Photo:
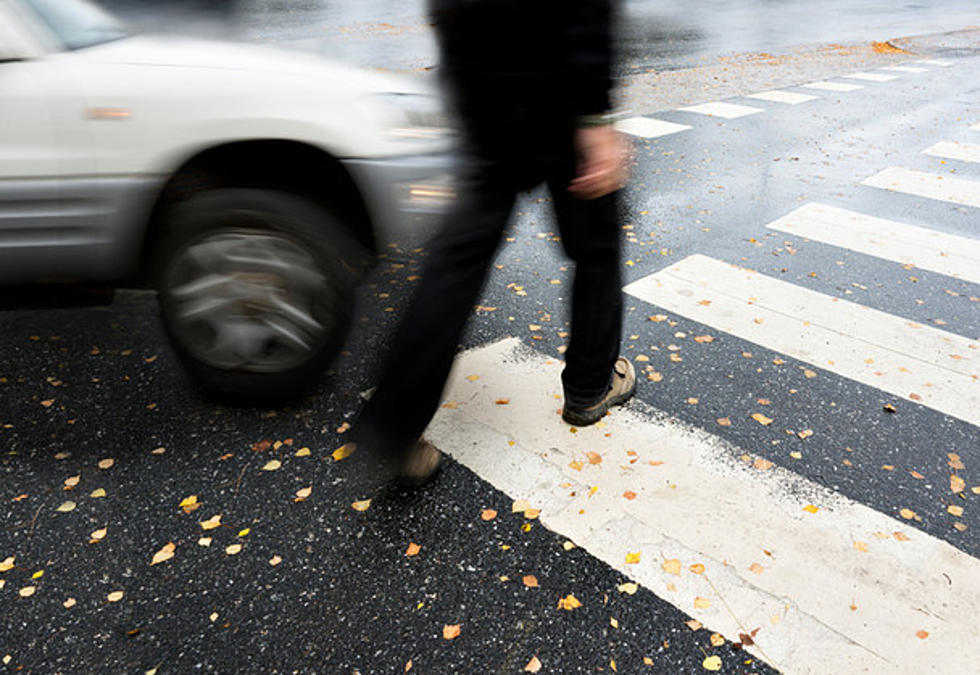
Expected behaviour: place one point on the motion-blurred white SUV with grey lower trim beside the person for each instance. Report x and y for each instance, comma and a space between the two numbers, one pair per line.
247, 185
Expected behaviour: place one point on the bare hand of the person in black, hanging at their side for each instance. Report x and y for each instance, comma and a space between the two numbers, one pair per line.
603, 162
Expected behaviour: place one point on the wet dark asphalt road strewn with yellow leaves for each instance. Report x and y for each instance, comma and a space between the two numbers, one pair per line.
317, 586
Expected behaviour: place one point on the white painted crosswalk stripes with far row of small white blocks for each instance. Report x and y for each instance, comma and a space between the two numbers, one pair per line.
836, 586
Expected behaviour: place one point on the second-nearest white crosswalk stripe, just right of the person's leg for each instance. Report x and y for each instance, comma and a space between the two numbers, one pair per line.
940, 370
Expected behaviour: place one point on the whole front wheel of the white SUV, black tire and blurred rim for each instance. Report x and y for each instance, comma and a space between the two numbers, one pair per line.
256, 290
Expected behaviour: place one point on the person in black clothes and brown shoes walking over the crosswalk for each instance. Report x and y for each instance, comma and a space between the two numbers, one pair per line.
530, 81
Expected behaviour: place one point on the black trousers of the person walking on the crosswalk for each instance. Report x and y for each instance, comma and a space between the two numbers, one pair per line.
418, 364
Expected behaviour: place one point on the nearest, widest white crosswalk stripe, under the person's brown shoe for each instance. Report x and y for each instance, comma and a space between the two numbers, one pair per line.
821, 604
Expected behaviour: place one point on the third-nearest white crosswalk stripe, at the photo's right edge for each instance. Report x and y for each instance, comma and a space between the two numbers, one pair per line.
927, 249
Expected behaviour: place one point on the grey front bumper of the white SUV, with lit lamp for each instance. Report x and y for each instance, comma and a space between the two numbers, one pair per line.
406, 197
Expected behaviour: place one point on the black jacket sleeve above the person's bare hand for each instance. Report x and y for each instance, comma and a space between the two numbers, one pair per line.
588, 39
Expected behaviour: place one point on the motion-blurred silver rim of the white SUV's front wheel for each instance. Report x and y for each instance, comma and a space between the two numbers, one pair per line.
248, 300
